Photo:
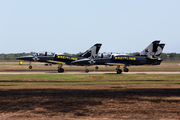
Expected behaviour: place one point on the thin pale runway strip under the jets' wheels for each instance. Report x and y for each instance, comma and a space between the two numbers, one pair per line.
66, 73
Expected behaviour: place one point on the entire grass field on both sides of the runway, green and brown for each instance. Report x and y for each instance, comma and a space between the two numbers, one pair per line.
86, 96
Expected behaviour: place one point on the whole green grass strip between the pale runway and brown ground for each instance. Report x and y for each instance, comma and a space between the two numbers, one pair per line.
88, 79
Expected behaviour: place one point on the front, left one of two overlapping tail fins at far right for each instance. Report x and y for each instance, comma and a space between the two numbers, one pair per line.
151, 49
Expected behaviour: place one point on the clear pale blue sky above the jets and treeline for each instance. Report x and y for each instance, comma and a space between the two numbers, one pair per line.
73, 26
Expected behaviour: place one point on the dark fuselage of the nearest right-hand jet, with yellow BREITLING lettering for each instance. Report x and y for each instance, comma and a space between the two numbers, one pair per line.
118, 60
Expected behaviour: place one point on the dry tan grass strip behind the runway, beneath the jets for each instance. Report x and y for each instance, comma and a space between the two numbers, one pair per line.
165, 66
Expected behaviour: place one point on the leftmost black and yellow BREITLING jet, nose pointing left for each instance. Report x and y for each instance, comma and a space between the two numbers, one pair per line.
57, 58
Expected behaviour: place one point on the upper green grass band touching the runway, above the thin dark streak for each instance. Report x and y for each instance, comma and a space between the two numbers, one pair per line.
79, 77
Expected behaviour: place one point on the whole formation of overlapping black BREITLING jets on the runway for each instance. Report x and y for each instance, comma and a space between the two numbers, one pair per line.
149, 56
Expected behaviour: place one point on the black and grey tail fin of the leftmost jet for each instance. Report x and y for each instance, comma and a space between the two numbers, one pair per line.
92, 51
